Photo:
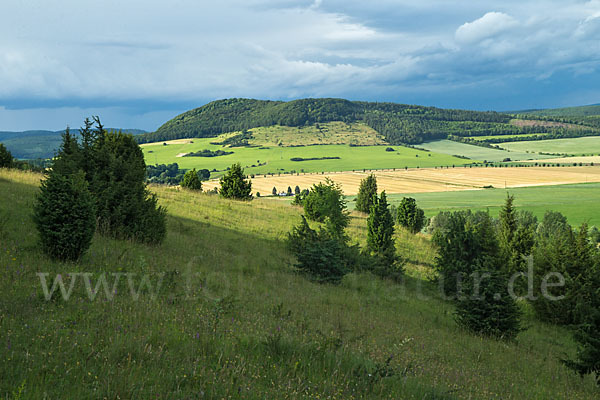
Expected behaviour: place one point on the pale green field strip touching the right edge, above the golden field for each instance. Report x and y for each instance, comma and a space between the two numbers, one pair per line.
576, 146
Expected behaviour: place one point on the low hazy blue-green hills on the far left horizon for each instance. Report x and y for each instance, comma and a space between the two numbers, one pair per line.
40, 144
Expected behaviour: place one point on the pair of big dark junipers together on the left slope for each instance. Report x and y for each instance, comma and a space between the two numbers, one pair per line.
96, 183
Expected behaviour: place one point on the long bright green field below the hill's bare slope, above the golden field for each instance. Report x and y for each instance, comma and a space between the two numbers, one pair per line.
278, 158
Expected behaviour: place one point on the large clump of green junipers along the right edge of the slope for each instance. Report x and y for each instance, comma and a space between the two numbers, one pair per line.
486, 265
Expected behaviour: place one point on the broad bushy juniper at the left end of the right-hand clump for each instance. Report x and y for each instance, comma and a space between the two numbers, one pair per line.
465, 241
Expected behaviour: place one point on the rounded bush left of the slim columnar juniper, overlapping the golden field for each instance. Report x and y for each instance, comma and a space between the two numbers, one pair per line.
326, 203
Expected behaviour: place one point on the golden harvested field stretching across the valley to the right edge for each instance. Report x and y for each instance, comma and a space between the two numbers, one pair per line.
432, 180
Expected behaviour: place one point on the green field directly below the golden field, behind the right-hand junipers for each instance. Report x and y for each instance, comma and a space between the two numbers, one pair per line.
578, 202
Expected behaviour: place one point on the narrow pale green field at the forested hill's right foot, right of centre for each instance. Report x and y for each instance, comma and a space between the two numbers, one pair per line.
477, 152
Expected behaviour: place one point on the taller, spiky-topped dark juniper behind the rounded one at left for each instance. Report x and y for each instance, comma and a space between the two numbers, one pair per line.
115, 170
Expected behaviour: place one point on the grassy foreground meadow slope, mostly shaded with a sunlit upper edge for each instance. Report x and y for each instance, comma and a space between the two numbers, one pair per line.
233, 320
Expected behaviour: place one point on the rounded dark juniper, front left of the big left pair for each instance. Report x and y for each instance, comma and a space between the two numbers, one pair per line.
64, 215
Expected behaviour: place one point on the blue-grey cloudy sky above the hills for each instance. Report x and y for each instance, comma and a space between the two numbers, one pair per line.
137, 64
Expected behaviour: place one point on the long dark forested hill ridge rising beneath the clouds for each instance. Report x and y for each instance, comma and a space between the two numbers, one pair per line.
397, 123
